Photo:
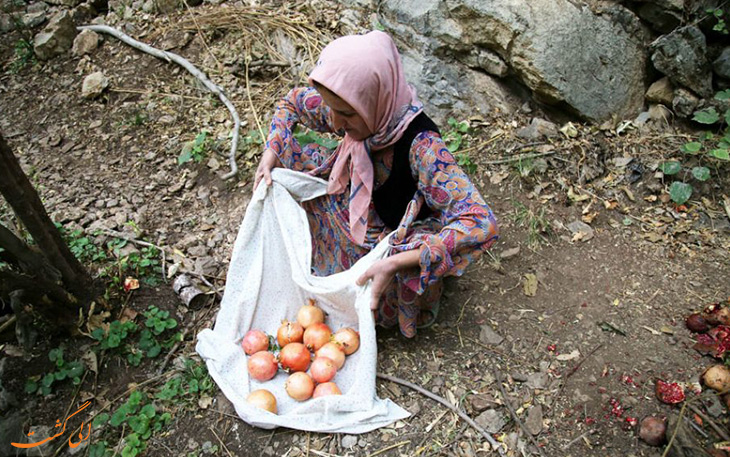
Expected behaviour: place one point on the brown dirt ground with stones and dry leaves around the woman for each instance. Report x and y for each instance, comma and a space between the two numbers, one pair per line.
576, 326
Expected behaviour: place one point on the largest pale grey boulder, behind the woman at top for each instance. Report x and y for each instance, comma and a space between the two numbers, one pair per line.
564, 53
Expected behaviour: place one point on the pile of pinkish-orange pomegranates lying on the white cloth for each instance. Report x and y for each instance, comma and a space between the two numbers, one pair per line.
297, 341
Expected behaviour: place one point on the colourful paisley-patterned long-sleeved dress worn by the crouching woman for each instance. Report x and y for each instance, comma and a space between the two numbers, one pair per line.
460, 226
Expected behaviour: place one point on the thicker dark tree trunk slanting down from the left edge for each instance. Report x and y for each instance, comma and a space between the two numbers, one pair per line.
22, 197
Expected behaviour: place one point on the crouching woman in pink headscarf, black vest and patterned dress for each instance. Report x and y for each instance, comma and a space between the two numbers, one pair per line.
391, 171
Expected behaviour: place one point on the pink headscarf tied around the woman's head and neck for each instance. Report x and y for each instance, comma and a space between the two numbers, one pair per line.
365, 71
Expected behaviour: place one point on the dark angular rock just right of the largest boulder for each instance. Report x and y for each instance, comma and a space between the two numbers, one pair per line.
682, 55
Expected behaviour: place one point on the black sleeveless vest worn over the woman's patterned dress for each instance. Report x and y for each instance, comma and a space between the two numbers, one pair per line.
393, 196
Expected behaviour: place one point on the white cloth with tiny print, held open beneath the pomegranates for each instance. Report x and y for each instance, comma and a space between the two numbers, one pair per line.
269, 279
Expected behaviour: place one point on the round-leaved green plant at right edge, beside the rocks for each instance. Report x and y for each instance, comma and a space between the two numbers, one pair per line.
714, 148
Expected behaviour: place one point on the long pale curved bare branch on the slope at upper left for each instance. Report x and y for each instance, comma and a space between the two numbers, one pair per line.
172, 57
